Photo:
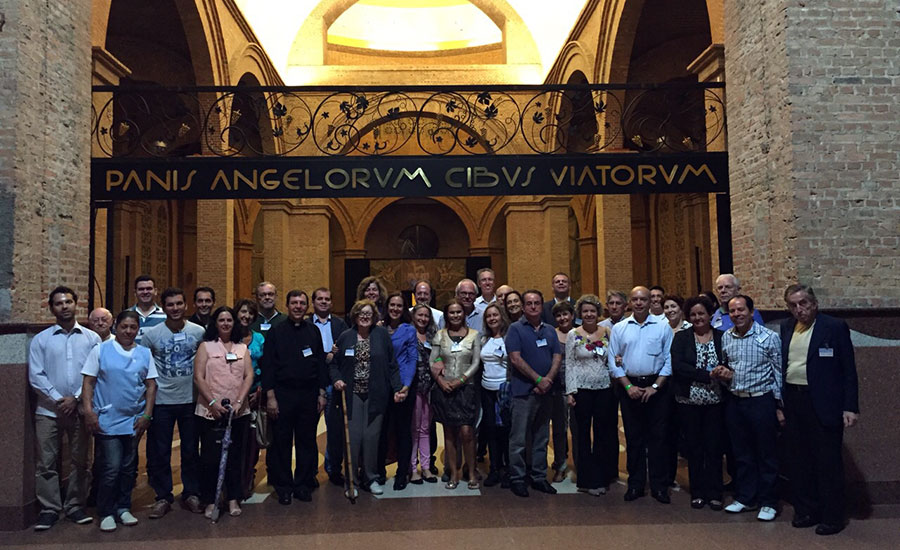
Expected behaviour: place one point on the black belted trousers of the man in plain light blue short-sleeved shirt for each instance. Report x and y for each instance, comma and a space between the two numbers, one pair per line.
645, 438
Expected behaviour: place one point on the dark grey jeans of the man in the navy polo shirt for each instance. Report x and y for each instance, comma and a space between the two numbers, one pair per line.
530, 416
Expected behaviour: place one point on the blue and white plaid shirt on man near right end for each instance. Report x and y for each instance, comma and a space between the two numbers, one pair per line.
755, 358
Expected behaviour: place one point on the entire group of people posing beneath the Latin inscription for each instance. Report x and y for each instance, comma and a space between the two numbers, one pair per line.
495, 367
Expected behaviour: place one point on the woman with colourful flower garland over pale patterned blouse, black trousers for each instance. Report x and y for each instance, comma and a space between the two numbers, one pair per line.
590, 394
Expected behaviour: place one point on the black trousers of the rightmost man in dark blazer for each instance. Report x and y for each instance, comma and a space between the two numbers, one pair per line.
814, 459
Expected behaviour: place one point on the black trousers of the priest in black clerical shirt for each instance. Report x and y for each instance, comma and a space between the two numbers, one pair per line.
295, 429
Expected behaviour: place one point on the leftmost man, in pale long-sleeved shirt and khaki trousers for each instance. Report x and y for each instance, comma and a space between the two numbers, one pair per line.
55, 358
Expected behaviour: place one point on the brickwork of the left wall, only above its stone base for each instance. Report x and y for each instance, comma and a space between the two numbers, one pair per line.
45, 115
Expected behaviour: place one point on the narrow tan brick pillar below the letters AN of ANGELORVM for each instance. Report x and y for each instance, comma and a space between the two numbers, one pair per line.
215, 248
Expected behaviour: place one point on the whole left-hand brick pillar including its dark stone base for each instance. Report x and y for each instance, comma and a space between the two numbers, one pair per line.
45, 119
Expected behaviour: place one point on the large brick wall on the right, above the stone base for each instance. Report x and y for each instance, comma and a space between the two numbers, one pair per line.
813, 112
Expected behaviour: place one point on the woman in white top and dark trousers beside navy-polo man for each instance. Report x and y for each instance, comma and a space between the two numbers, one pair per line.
496, 363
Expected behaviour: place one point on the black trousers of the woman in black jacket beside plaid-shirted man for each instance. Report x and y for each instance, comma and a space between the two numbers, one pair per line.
702, 427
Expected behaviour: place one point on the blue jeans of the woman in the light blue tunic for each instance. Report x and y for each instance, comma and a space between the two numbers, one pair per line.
117, 465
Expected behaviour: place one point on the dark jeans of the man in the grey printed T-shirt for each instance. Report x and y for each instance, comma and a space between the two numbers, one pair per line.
159, 450
